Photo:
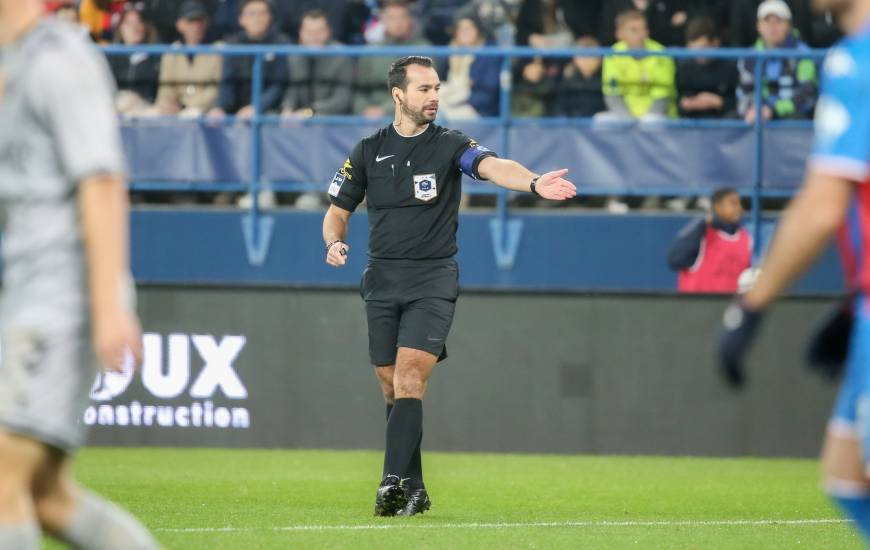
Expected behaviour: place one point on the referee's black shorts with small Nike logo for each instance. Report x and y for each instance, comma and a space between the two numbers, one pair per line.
409, 304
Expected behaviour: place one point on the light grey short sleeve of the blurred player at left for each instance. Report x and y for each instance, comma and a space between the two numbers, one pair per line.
72, 92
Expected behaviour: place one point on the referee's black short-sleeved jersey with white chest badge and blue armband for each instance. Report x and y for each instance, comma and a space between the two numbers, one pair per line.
412, 186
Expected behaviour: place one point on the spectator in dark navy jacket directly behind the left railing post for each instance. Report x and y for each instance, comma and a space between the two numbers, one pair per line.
235, 91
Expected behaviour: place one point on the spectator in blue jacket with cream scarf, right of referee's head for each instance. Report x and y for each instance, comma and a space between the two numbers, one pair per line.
471, 84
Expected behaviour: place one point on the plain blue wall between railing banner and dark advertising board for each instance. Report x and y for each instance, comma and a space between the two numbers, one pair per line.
552, 252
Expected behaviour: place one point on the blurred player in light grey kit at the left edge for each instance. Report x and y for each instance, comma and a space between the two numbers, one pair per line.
63, 208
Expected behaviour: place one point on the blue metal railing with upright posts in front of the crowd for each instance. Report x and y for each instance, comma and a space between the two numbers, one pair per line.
503, 121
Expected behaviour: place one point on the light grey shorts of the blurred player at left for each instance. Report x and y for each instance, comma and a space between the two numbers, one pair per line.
45, 382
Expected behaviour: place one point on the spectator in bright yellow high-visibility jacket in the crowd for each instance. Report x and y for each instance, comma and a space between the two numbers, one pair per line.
638, 87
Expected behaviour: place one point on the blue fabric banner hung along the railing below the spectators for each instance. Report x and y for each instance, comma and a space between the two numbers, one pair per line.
687, 159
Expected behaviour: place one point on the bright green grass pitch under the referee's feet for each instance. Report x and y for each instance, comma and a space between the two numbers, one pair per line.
245, 499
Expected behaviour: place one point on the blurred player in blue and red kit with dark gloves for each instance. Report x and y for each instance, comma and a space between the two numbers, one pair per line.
835, 199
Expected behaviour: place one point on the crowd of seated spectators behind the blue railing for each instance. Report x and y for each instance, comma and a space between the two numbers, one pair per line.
613, 87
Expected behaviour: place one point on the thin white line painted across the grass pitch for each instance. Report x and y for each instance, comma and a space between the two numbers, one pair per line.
603, 523
